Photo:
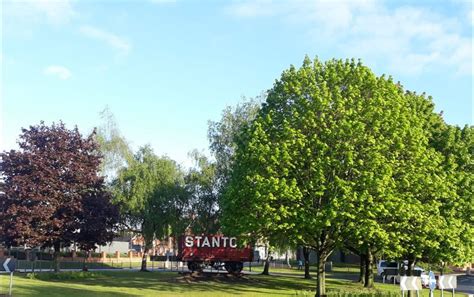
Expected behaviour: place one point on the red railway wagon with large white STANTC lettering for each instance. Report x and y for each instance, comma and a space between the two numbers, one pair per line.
216, 251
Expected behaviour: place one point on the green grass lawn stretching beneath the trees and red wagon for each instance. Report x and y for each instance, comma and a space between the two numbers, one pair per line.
131, 283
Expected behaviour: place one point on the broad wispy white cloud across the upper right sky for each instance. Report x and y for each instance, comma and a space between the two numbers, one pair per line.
406, 39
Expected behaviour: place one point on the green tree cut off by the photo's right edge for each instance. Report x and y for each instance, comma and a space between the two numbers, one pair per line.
454, 240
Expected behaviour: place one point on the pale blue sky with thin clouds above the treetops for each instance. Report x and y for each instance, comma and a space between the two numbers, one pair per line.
167, 67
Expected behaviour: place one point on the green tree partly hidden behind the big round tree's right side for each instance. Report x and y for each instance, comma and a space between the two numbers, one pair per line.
381, 224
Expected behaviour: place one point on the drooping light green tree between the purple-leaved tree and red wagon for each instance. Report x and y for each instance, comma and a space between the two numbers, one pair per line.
150, 193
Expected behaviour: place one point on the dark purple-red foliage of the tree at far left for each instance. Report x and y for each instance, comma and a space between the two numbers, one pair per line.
52, 193
